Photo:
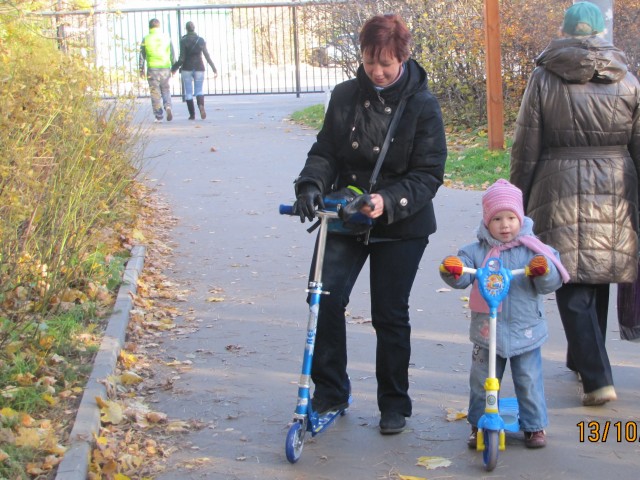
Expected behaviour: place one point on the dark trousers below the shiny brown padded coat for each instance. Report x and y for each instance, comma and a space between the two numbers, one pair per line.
583, 309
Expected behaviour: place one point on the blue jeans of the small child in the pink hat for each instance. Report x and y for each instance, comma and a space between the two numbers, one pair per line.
526, 370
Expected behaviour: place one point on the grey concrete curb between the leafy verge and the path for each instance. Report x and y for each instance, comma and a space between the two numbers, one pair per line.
75, 464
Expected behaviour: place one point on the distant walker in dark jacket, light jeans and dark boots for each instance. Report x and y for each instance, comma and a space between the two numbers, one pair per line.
192, 48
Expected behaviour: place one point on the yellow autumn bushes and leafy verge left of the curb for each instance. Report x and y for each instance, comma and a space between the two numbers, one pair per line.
68, 165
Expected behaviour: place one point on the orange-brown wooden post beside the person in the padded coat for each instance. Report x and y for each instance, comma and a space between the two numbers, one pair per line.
495, 103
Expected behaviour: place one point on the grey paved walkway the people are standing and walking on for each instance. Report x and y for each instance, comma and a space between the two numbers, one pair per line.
224, 178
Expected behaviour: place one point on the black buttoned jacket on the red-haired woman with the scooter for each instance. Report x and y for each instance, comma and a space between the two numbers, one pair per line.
353, 133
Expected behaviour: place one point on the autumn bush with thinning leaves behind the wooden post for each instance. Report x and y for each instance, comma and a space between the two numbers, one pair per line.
449, 41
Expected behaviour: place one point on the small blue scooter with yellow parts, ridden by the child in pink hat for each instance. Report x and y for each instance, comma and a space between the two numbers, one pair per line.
494, 282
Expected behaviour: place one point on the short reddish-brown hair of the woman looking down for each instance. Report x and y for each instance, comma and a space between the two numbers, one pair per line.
386, 32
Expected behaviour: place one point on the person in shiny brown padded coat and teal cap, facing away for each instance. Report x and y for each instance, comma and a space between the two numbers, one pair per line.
576, 157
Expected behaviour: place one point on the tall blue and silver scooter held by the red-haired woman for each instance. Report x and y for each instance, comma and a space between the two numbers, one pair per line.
305, 419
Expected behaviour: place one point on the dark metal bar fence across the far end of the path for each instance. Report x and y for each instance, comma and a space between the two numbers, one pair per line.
257, 49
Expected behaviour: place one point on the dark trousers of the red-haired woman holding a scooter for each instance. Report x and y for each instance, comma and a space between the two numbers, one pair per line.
393, 266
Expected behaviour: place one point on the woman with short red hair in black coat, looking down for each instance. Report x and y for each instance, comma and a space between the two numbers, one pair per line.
345, 153
